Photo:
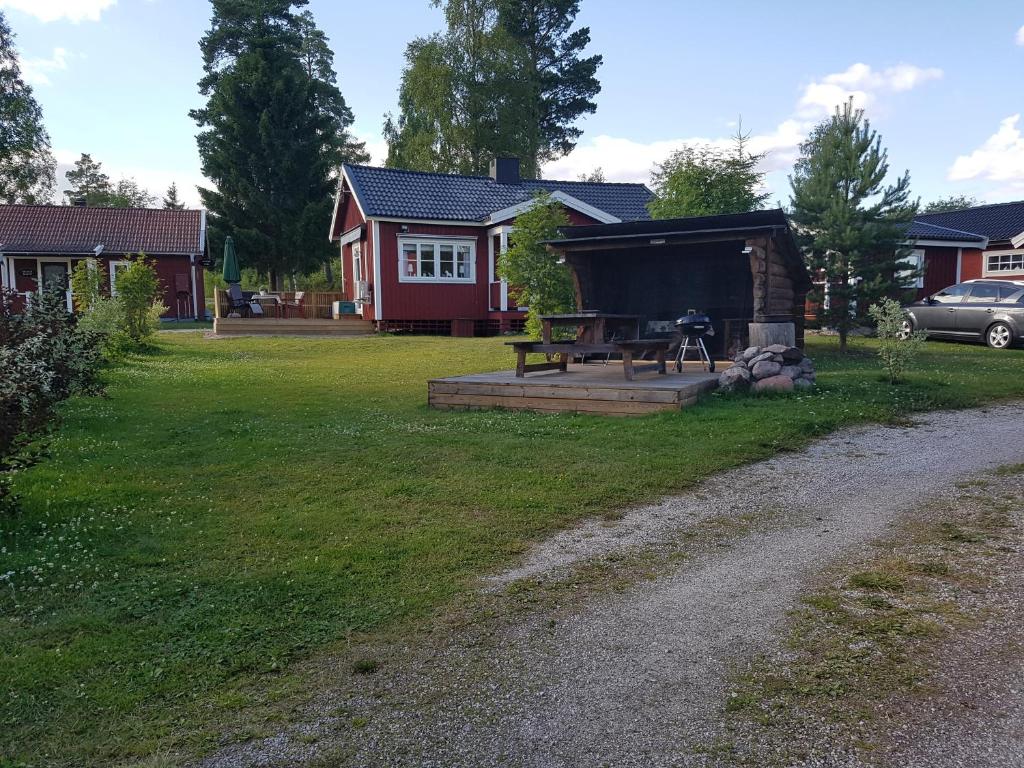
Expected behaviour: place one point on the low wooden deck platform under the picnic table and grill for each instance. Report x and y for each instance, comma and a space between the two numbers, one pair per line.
593, 389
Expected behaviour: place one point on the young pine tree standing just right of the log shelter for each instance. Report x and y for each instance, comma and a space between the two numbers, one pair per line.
849, 224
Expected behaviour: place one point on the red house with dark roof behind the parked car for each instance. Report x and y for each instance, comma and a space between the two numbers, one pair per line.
982, 242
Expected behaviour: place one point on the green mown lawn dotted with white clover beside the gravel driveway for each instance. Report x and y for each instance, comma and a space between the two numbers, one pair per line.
237, 505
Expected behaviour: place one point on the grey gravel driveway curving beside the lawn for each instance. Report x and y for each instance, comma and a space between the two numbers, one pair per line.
637, 676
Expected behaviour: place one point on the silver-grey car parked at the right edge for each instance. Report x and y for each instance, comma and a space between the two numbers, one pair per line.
990, 311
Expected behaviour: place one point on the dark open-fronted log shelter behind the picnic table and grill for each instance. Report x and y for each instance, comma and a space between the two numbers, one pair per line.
745, 271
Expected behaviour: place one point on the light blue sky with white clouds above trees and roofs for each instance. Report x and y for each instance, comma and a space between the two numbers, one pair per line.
941, 81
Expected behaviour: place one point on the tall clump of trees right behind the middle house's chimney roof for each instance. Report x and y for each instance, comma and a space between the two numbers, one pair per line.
506, 77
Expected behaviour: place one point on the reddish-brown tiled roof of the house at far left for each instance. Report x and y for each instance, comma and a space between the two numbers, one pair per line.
73, 230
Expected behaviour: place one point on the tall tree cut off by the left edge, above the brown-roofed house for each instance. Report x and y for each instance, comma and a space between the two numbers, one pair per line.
28, 172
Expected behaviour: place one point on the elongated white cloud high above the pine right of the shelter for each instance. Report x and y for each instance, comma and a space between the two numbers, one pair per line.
863, 84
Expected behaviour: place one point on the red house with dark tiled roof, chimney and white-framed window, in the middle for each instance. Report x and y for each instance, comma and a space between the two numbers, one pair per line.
419, 250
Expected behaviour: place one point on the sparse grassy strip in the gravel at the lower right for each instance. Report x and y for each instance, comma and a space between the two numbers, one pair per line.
862, 646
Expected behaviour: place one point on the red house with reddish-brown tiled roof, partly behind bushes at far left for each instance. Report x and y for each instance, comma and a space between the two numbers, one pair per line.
40, 245
